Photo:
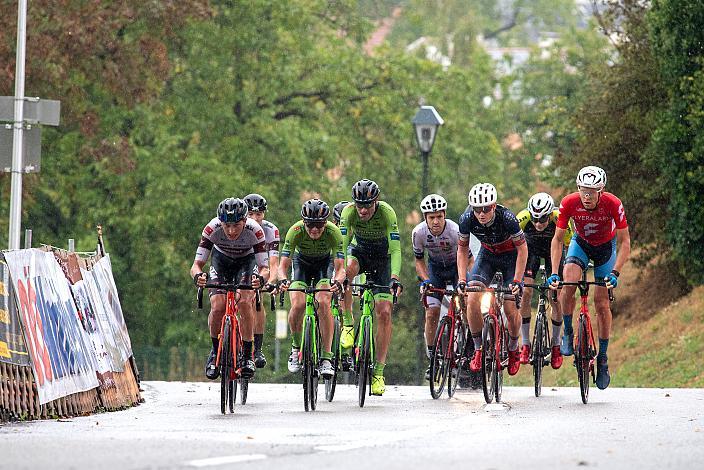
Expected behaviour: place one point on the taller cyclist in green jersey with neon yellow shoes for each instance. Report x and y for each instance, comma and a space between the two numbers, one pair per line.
376, 251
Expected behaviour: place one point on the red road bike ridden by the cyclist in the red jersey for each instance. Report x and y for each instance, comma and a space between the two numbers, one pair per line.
584, 344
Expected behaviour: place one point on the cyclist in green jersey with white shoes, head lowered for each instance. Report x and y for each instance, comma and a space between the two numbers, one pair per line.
314, 247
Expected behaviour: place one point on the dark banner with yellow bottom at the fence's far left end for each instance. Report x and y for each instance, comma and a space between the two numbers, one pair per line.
12, 348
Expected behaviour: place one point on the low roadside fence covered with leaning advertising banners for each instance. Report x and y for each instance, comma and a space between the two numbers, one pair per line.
64, 346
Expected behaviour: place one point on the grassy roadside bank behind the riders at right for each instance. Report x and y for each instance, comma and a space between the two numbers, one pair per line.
664, 350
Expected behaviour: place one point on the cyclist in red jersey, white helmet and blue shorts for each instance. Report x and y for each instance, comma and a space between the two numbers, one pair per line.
601, 232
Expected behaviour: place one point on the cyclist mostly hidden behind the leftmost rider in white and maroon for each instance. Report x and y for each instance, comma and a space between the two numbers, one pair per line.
256, 204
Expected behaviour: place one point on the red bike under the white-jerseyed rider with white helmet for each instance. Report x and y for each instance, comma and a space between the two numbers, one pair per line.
450, 339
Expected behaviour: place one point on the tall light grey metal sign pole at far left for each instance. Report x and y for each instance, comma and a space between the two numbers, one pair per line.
16, 190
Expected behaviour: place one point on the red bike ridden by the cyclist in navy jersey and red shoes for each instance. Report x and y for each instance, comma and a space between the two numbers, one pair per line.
494, 336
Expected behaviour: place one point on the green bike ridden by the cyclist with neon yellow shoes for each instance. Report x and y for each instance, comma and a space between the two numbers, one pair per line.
364, 338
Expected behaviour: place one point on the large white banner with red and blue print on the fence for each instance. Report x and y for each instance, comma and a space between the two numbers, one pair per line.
61, 352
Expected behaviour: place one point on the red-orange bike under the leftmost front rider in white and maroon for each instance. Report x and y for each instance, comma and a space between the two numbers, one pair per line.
230, 357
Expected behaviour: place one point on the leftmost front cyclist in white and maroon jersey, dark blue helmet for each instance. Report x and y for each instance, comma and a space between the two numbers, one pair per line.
238, 249
